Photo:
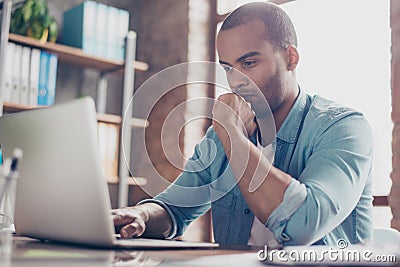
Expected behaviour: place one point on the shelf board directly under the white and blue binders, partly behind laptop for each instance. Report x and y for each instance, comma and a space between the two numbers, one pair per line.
107, 118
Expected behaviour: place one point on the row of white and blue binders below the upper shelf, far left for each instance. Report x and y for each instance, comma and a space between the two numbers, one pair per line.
30, 76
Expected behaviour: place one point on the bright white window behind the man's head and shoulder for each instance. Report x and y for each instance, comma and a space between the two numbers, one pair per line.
345, 56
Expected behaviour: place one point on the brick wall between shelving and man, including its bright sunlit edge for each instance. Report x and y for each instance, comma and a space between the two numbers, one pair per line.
163, 28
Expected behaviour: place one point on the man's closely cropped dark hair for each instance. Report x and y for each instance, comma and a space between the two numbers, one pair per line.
279, 29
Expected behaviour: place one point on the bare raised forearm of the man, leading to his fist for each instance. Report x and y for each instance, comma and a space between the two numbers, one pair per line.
247, 163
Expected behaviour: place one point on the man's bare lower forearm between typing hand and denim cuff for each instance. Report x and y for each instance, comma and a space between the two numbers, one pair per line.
157, 220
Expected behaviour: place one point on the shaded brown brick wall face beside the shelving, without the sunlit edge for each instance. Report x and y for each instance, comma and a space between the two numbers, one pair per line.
162, 28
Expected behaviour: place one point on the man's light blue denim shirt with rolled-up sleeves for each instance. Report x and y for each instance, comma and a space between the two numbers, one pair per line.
325, 147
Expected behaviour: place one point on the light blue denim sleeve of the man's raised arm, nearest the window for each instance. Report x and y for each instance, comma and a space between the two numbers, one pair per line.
331, 184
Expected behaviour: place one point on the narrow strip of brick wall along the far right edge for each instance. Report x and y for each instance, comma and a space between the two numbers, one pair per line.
394, 197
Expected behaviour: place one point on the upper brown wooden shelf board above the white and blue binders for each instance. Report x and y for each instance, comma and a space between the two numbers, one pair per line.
76, 56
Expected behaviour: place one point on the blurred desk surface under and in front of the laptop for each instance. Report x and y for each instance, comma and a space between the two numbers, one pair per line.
30, 252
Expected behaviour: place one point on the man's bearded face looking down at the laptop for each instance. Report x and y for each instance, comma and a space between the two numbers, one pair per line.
244, 50
